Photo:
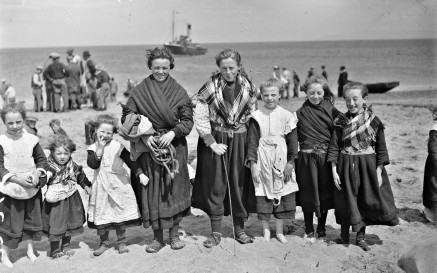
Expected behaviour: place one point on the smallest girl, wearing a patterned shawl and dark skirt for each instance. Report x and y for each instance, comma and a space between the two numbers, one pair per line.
63, 212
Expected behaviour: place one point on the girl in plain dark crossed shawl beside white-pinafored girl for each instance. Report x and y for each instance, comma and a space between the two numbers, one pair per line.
313, 172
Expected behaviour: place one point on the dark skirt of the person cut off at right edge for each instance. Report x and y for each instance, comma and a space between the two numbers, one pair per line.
430, 184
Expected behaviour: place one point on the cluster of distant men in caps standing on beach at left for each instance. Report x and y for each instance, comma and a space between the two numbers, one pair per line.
73, 83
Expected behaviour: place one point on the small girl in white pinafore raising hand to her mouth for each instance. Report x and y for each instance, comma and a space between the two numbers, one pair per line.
112, 204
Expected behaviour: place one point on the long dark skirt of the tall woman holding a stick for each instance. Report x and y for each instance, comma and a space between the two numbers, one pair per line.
210, 191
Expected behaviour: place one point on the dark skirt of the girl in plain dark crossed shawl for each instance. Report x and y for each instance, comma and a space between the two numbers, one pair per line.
316, 186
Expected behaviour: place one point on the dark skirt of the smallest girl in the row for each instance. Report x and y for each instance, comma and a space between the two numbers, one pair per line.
63, 218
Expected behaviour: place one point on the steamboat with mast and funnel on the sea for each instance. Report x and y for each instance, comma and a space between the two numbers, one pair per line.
184, 46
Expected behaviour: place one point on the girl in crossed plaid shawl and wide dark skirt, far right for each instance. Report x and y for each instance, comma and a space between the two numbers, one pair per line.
358, 154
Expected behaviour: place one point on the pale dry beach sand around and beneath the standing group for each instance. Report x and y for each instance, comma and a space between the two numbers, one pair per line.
406, 132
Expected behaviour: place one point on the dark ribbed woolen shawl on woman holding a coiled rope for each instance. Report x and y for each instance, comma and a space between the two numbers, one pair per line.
158, 101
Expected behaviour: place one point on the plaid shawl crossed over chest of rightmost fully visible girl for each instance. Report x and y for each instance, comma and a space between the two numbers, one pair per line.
358, 132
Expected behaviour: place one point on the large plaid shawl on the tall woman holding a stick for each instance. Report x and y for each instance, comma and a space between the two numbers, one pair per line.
233, 115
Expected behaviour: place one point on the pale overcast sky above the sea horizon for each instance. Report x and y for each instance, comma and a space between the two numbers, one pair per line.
39, 23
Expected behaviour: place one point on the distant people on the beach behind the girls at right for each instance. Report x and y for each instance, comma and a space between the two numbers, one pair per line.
286, 78
